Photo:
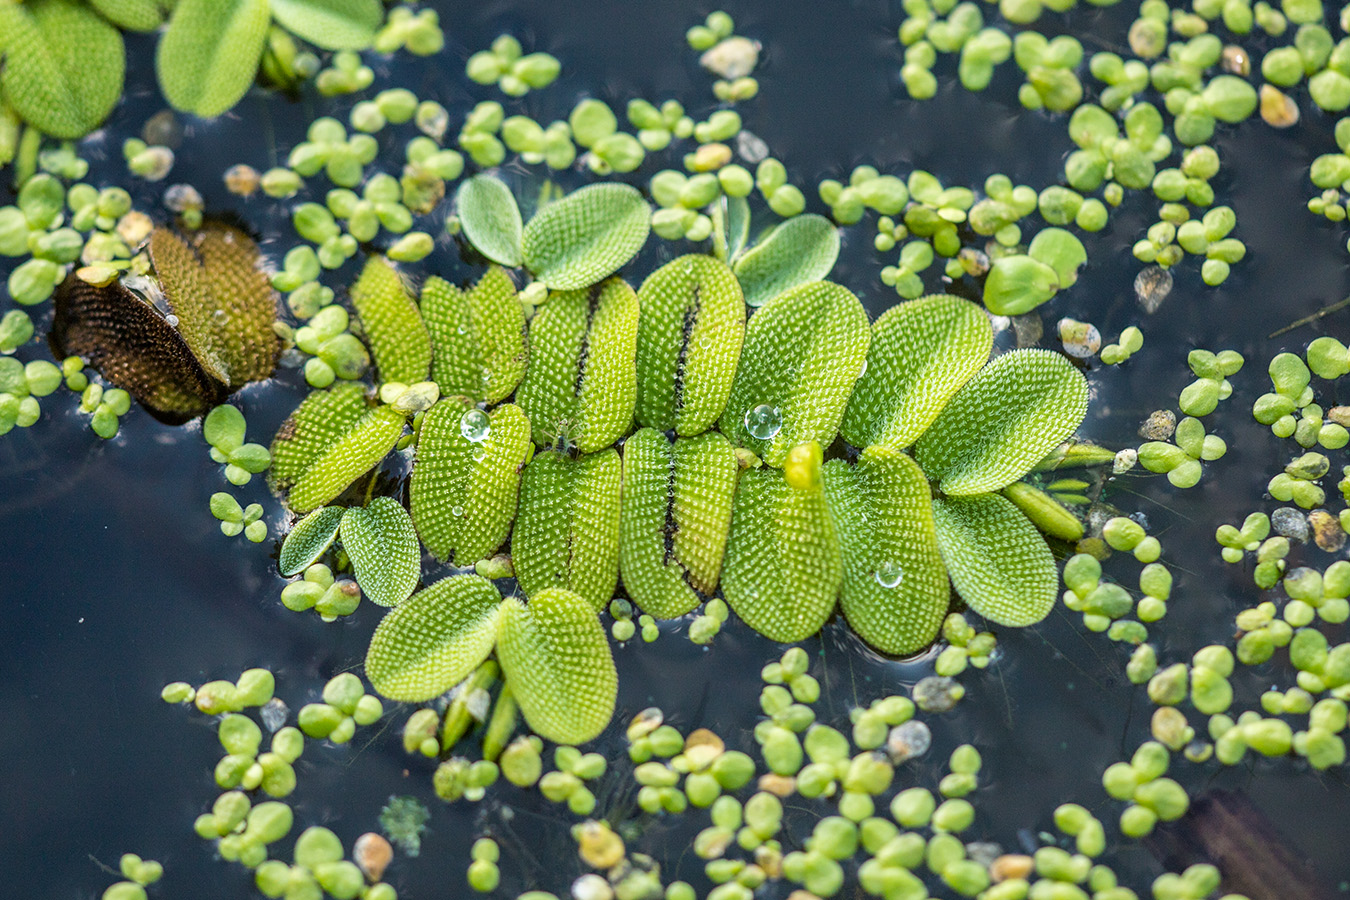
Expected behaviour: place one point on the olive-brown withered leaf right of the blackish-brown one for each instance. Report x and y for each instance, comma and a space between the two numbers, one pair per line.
225, 303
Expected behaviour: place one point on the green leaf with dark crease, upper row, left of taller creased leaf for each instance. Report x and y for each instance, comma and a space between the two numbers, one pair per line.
581, 384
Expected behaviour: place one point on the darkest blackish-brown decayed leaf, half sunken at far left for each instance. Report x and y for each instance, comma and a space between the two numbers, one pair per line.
134, 347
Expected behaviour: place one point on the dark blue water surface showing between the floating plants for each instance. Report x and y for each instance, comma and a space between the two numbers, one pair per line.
115, 578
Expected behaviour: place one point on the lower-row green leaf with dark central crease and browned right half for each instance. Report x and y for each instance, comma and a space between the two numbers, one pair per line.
677, 515
